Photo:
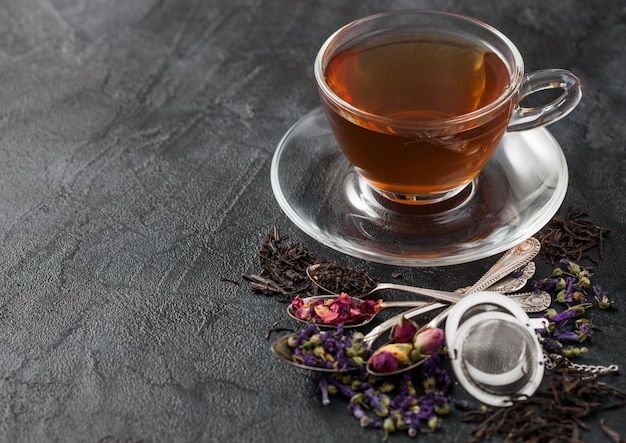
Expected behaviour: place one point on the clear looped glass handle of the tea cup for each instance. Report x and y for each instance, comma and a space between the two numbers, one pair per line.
527, 118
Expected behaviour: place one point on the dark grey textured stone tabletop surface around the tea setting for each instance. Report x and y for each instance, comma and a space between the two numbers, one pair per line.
135, 147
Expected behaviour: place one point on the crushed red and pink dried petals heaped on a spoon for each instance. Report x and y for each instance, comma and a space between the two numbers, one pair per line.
334, 311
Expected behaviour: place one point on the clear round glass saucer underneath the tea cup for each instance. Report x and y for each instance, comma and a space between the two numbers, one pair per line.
516, 194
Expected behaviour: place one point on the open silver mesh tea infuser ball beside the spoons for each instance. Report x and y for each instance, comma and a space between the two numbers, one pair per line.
494, 348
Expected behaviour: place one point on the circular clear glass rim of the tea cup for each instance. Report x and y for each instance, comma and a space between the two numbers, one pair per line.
516, 72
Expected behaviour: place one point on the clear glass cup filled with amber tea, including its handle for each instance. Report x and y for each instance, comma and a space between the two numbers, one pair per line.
418, 100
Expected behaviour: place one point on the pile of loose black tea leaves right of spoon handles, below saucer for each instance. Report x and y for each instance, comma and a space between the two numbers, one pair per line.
572, 237
